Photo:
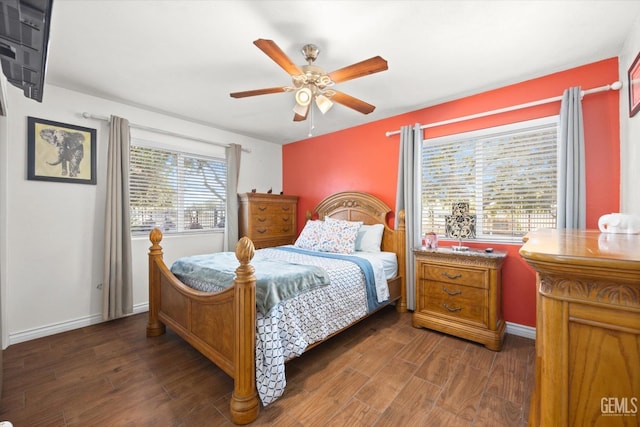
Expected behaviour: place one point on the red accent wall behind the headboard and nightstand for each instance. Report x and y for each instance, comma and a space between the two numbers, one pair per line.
362, 158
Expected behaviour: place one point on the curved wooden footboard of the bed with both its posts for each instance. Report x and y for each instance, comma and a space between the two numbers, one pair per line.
220, 325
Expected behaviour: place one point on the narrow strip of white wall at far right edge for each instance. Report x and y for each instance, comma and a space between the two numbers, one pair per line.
629, 130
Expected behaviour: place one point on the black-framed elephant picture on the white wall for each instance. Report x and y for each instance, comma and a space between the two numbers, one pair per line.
60, 152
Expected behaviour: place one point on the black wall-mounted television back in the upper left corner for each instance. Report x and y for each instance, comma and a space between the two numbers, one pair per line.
24, 39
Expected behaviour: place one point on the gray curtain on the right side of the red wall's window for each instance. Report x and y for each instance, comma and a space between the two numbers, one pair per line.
571, 167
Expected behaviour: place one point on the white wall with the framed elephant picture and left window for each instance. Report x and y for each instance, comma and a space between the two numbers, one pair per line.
53, 260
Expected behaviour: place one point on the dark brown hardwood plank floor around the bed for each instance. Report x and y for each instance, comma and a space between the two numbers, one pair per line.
381, 372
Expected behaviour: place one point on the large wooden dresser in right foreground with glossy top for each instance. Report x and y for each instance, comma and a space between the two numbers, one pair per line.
587, 328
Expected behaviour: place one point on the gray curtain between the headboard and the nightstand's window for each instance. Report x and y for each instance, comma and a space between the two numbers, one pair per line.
407, 198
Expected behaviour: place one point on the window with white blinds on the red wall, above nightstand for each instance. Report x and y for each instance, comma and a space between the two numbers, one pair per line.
507, 176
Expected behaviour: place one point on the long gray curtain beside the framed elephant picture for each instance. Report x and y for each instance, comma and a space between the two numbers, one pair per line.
117, 289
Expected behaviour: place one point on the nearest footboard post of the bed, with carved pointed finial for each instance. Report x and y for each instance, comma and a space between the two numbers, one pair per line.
244, 405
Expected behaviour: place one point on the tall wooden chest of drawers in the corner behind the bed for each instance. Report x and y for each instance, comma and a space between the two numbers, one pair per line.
268, 219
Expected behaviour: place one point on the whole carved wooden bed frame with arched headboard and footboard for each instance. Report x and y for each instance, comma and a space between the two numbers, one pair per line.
222, 325
